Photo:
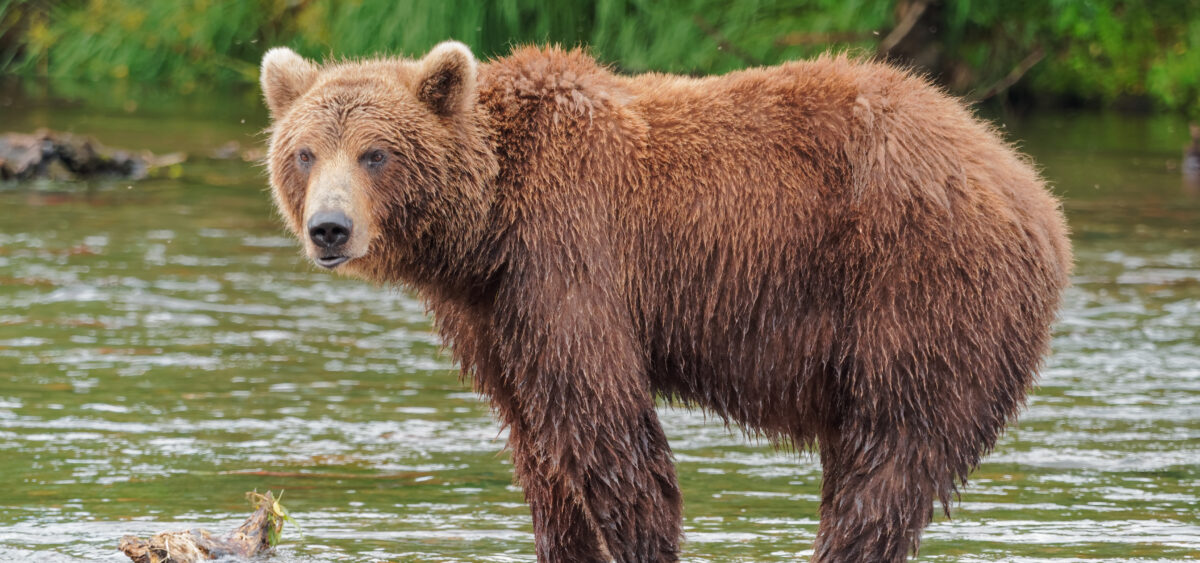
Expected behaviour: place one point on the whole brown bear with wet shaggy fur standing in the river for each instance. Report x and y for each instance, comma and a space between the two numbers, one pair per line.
831, 254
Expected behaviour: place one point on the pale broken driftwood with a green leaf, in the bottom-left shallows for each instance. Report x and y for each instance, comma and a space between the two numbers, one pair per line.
255, 537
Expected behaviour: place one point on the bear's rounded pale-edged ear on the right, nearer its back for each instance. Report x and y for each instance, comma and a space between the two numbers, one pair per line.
447, 79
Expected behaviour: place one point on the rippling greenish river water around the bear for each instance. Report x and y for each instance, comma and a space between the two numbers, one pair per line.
164, 349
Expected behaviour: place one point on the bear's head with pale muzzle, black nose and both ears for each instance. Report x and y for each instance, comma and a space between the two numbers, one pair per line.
382, 167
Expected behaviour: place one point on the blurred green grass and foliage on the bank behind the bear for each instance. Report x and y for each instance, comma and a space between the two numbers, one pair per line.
1054, 53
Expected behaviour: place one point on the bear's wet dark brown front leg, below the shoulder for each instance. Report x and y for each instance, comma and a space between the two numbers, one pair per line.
586, 441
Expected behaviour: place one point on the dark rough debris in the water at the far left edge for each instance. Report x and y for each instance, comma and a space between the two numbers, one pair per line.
68, 157
